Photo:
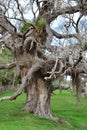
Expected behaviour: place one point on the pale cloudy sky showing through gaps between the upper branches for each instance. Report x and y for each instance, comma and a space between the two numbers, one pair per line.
57, 24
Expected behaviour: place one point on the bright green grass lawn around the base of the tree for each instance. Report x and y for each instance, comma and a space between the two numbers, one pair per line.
63, 105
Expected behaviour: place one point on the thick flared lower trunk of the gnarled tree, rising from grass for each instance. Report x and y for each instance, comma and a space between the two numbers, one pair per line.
38, 98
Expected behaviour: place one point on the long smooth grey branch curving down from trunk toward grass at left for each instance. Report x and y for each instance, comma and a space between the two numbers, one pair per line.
32, 70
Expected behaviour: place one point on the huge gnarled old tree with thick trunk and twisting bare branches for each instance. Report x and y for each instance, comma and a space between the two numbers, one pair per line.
36, 68
